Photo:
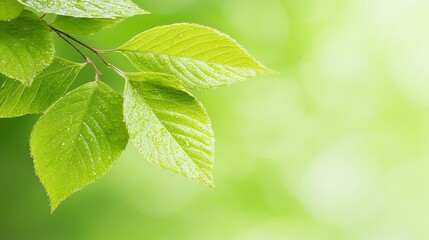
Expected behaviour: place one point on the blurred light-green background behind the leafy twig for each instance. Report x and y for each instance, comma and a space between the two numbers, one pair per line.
336, 147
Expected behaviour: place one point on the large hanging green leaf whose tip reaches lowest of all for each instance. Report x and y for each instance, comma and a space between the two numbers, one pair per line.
78, 139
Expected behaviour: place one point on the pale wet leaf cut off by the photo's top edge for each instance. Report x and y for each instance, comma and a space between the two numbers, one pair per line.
87, 8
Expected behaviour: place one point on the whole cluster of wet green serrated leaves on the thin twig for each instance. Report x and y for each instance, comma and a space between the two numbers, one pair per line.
82, 133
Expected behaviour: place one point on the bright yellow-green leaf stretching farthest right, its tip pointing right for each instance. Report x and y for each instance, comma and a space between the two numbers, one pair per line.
199, 56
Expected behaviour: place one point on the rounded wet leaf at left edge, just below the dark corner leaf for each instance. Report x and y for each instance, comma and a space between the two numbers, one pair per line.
26, 47
